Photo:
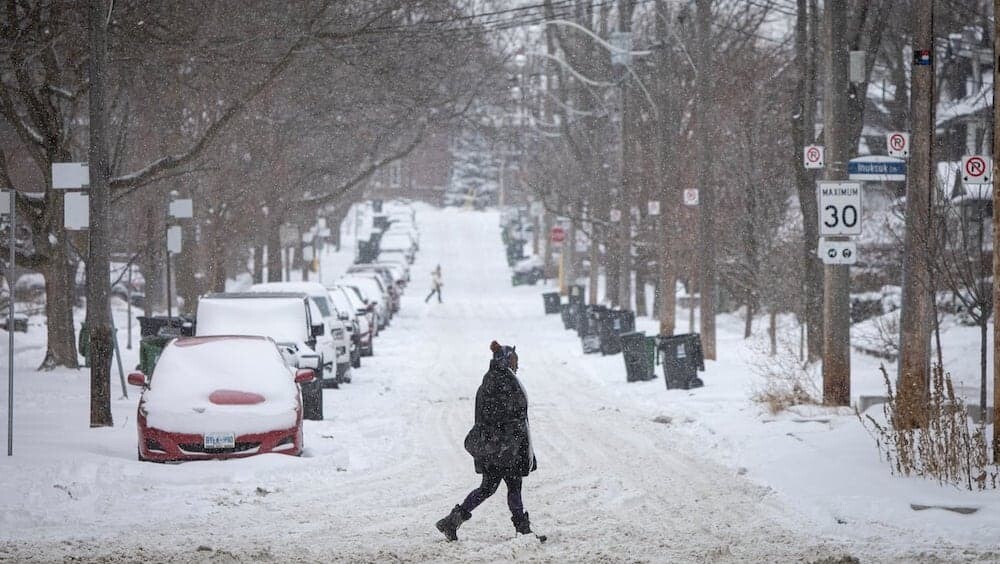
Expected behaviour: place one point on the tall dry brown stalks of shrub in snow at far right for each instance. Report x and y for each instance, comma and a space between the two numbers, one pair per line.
947, 447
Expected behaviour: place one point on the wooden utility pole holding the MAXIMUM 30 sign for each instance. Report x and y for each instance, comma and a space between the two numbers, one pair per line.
836, 278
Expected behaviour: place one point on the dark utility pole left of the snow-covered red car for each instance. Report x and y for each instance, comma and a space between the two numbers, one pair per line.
98, 263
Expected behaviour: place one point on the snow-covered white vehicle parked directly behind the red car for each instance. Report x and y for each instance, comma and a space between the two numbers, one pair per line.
286, 318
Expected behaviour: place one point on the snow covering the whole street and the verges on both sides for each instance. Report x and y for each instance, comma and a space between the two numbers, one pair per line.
627, 471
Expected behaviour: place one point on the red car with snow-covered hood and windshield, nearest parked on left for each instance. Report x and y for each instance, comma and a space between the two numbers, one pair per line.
219, 397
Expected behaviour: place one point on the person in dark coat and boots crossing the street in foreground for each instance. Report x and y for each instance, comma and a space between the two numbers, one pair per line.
499, 442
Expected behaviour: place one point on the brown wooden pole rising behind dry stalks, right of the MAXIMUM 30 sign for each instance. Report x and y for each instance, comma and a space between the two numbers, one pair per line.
915, 320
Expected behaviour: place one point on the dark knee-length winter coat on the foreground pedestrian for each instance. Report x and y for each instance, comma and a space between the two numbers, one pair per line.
500, 441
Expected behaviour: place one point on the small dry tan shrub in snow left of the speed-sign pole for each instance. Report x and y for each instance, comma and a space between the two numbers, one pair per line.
786, 381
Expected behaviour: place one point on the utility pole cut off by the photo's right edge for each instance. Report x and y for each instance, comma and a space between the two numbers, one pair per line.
996, 241
